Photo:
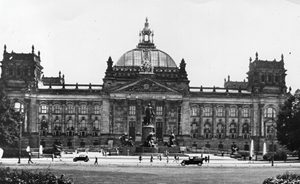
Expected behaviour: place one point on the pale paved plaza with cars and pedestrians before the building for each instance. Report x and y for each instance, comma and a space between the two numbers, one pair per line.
215, 161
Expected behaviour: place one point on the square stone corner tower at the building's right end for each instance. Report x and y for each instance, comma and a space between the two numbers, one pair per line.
267, 76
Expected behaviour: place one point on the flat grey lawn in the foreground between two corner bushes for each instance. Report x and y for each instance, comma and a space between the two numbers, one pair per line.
89, 174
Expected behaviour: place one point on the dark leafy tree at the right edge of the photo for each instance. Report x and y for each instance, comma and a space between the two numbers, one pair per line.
288, 125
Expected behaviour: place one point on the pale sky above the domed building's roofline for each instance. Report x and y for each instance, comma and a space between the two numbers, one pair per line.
215, 38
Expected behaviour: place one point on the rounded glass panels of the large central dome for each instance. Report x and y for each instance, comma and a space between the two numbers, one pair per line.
156, 57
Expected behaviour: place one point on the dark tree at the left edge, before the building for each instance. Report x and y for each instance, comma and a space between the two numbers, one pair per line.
9, 121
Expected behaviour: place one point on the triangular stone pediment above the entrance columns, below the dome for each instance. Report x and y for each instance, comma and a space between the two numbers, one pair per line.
145, 86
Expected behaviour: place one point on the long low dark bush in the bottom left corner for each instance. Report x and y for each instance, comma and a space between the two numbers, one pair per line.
27, 177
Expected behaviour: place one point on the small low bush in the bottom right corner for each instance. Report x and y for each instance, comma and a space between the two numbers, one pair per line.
287, 178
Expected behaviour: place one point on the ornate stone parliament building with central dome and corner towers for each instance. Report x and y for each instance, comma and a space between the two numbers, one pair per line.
95, 116
